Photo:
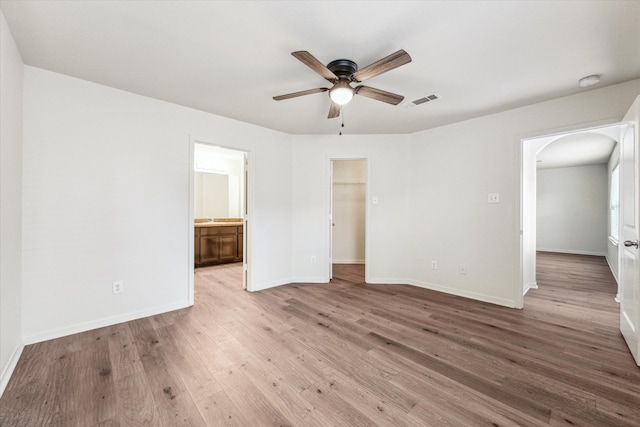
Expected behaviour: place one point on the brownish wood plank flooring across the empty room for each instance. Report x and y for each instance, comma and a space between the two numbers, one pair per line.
344, 354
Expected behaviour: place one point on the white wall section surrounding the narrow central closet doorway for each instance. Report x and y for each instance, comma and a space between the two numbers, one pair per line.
386, 222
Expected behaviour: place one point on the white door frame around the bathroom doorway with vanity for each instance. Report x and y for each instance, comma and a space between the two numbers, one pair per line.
247, 208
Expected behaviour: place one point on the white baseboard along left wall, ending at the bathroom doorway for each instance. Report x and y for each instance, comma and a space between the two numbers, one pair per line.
101, 323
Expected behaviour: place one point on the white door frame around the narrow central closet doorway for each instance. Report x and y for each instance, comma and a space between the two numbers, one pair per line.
329, 232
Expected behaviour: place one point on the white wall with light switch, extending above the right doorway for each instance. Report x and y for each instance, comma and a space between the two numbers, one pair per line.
452, 170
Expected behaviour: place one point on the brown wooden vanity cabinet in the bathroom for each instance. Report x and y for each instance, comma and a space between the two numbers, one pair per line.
217, 245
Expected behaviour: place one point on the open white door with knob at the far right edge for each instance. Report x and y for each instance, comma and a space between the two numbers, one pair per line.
629, 220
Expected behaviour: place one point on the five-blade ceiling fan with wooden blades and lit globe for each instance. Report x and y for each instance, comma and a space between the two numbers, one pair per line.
342, 72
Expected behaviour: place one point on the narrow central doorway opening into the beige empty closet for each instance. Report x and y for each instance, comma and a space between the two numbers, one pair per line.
348, 214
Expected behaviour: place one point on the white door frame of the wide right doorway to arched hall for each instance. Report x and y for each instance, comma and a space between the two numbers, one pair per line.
527, 148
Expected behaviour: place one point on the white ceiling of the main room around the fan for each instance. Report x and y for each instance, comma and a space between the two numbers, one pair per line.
230, 57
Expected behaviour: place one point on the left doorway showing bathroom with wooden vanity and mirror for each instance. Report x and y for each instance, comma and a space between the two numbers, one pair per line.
218, 209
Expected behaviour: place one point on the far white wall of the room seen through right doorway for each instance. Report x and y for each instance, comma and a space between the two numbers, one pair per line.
572, 210
